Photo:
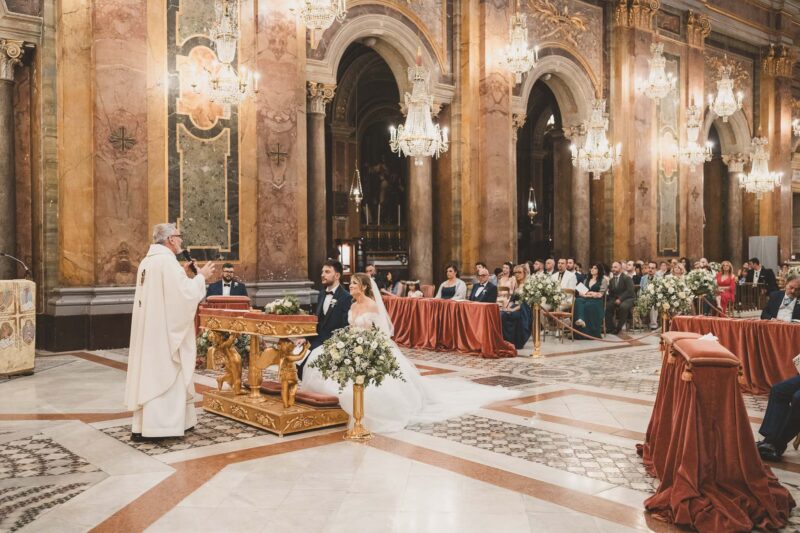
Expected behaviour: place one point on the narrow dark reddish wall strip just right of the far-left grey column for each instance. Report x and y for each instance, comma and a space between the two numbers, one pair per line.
23, 164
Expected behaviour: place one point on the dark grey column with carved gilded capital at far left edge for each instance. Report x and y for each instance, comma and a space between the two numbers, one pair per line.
10, 54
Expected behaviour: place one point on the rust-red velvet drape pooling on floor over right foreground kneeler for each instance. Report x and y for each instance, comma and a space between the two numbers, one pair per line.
712, 478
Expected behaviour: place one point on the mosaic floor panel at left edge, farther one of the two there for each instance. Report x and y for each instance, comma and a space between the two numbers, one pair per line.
39, 455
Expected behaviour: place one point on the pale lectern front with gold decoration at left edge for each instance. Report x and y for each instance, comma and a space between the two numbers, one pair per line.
17, 326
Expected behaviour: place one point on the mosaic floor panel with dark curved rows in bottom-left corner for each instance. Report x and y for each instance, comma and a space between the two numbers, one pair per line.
20, 506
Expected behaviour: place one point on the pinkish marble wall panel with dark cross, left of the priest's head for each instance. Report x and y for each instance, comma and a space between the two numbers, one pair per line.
120, 139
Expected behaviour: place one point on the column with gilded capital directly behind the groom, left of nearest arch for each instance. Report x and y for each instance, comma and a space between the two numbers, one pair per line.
319, 95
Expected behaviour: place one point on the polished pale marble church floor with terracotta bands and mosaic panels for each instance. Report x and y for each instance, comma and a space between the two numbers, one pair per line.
560, 457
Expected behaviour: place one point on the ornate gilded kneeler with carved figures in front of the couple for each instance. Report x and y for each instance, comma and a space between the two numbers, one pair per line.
279, 415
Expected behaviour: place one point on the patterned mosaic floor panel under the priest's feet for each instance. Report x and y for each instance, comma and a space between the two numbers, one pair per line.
210, 429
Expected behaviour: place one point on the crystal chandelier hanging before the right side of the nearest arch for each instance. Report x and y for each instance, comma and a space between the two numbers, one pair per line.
419, 137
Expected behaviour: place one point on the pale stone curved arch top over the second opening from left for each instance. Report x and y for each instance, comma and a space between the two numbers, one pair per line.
570, 83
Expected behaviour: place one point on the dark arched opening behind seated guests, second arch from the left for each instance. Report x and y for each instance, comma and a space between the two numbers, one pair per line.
541, 165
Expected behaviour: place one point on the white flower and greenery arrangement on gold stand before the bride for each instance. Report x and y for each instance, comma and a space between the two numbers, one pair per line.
359, 356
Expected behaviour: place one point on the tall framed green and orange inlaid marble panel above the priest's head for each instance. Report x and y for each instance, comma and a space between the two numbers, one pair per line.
203, 140
